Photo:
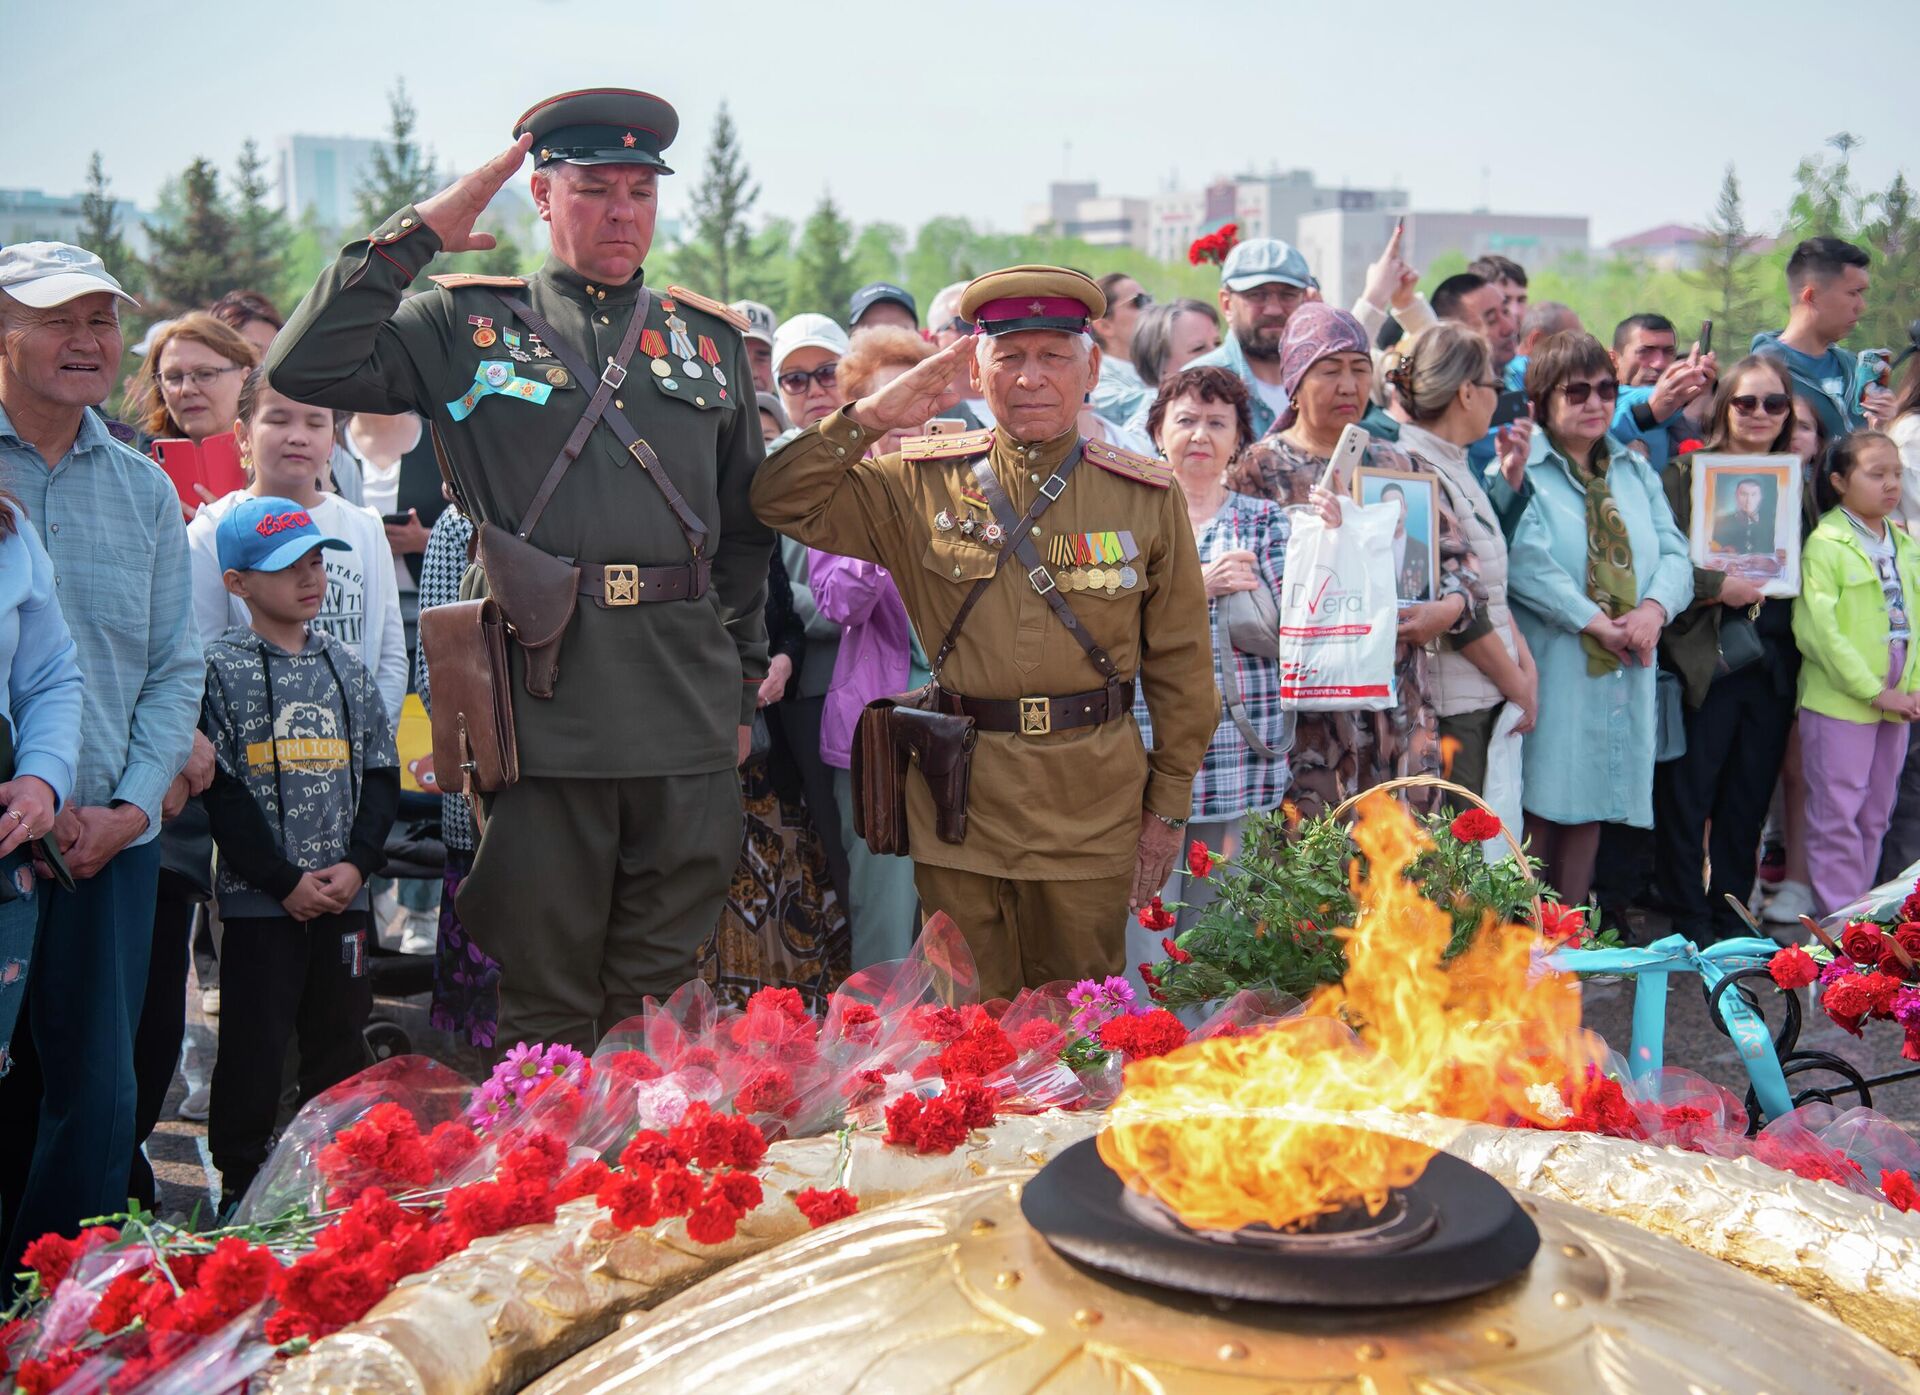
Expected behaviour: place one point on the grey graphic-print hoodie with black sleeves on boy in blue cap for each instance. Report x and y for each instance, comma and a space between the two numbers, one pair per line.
306, 774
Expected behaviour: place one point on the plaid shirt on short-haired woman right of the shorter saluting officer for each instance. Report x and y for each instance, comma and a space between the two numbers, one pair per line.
1234, 780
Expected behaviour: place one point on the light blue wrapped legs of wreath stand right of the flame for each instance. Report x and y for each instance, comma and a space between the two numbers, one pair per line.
1677, 955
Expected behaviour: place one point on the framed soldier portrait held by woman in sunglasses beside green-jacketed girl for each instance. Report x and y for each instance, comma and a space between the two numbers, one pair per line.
1746, 519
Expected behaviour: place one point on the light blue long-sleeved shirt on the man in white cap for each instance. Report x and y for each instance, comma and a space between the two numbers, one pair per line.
112, 529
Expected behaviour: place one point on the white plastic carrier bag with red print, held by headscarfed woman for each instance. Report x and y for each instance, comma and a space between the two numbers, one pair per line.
1339, 611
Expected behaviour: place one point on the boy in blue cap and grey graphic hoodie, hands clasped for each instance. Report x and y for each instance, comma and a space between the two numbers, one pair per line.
304, 793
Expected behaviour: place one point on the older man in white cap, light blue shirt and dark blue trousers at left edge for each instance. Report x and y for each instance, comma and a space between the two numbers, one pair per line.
112, 527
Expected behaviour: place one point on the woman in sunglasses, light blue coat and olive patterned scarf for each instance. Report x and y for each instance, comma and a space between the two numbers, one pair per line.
1595, 571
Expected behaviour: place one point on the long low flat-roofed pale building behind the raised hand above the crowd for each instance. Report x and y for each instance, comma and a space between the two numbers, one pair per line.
1341, 245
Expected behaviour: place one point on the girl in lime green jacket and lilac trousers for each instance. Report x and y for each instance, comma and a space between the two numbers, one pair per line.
1860, 582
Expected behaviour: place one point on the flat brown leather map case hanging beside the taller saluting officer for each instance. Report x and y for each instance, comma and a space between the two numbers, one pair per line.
475, 749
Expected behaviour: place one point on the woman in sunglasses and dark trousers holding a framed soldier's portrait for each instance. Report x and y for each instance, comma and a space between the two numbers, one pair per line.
1737, 655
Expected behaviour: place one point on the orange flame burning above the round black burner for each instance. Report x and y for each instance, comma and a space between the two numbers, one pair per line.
1257, 1129
